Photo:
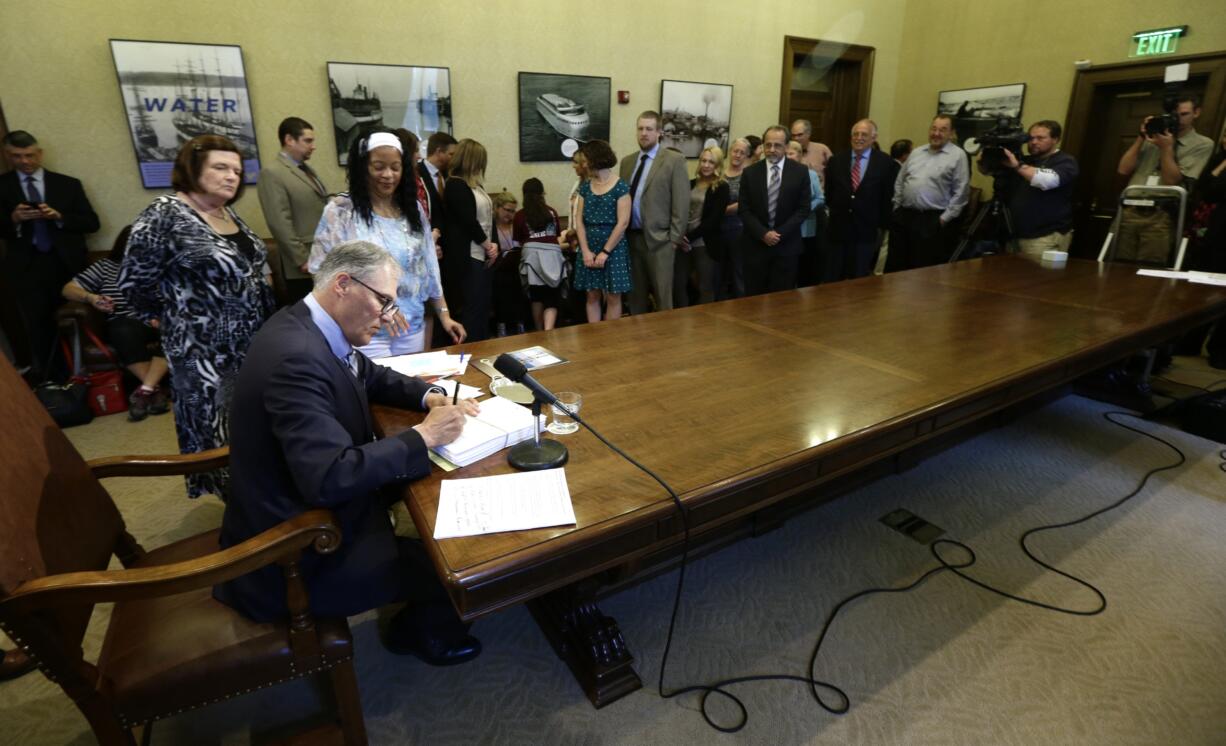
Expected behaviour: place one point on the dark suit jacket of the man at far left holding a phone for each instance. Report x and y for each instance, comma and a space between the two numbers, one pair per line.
62, 193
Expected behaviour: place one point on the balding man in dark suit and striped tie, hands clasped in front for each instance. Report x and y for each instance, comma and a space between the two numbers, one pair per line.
774, 204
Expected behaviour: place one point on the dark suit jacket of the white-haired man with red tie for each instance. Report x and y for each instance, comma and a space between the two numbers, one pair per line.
856, 218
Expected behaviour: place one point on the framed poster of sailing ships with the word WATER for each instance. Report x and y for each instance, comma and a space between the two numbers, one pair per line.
173, 93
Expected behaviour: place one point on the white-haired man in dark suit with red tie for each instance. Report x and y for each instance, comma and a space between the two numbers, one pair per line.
860, 193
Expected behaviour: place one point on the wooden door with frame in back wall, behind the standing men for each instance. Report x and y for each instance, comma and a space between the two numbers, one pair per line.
827, 83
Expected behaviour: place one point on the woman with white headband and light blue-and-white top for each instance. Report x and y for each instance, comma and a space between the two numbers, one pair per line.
382, 208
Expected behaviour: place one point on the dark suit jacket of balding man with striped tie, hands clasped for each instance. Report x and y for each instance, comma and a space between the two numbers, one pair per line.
790, 213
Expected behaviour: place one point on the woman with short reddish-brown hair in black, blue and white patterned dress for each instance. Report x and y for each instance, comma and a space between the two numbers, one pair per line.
203, 275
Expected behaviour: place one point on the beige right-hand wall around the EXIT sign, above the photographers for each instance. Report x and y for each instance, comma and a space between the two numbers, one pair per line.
972, 44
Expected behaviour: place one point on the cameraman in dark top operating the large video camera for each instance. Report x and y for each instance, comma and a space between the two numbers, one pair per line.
1037, 188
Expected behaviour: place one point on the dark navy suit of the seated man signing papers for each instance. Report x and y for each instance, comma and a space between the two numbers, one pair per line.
301, 439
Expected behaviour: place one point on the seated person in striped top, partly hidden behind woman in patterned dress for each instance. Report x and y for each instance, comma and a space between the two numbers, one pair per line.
138, 343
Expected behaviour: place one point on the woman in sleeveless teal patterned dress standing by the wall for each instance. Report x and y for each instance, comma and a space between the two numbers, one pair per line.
603, 213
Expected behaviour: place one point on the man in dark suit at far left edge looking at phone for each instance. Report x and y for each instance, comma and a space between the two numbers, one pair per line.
45, 218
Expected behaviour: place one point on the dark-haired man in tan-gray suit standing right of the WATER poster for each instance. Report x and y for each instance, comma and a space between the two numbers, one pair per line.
292, 198
